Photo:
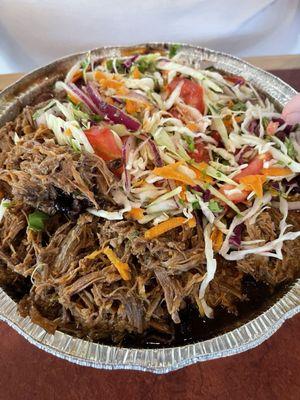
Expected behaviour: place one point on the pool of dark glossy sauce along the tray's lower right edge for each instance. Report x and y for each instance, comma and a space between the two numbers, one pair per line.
193, 328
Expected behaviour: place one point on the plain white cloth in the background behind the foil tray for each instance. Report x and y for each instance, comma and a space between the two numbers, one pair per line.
34, 32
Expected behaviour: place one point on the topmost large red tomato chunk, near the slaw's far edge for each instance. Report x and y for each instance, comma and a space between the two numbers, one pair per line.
191, 93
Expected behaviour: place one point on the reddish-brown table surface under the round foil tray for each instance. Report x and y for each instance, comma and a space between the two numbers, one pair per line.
268, 372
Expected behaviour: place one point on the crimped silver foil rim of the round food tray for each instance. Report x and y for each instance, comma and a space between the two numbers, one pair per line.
159, 360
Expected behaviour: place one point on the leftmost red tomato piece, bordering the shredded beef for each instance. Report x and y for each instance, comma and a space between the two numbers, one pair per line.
104, 143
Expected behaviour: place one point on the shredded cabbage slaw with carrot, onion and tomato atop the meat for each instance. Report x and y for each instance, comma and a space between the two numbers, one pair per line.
178, 147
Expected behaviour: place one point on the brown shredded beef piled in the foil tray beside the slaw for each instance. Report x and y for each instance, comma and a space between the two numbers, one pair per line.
86, 296
